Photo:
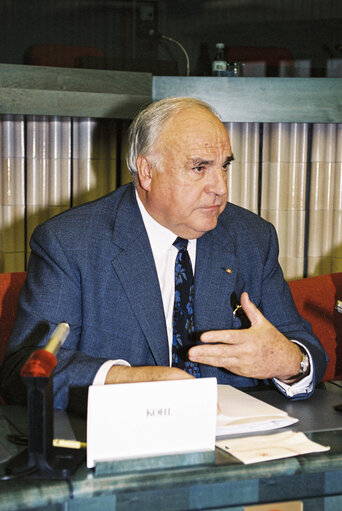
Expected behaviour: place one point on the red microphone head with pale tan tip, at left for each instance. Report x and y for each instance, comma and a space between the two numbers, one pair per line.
42, 362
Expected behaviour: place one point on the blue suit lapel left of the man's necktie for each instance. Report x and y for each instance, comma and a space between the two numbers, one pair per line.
134, 265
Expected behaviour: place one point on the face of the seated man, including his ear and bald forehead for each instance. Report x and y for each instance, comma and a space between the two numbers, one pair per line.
186, 190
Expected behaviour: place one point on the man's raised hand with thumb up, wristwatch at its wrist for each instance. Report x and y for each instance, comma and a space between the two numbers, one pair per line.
260, 351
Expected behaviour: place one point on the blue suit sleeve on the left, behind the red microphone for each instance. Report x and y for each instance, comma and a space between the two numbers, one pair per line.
51, 294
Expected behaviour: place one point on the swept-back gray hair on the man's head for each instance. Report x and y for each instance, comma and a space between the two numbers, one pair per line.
146, 127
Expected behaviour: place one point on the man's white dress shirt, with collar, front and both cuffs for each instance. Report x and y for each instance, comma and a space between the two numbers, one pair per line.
164, 254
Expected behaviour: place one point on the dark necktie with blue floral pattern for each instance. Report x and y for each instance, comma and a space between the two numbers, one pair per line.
183, 311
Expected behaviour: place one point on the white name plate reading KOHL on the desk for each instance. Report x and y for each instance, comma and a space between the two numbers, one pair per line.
134, 420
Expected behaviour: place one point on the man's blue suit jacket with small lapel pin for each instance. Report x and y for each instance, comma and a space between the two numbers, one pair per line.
92, 266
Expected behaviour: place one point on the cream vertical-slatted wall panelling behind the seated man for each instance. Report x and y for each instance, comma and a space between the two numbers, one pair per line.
289, 173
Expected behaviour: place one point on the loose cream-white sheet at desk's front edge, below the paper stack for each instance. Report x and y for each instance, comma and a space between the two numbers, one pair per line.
255, 449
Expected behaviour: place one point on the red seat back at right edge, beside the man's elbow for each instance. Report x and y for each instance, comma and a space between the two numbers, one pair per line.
315, 298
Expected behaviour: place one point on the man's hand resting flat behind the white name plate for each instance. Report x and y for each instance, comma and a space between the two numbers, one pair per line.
124, 374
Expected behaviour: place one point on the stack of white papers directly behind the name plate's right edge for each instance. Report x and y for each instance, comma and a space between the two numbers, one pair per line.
242, 413
